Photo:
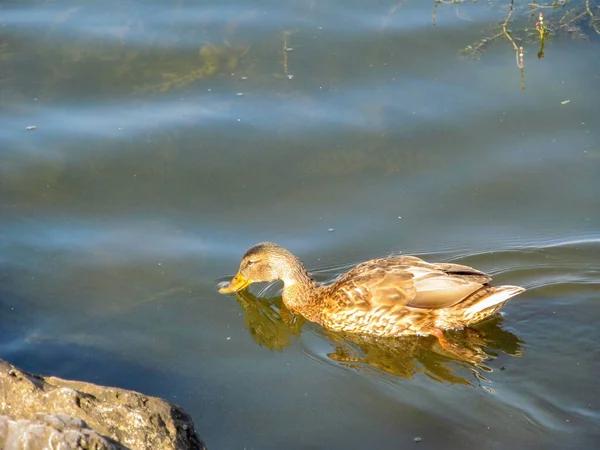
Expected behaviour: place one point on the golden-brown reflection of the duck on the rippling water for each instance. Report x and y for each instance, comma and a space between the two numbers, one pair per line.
274, 326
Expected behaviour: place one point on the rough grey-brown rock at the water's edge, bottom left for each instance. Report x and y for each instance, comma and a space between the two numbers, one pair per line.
76, 414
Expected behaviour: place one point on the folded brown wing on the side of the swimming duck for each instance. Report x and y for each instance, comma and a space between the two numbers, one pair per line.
405, 281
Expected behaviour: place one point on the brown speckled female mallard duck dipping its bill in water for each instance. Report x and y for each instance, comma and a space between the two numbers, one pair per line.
393, 296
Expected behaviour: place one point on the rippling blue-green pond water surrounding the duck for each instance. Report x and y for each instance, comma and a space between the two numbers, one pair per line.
172, 135
